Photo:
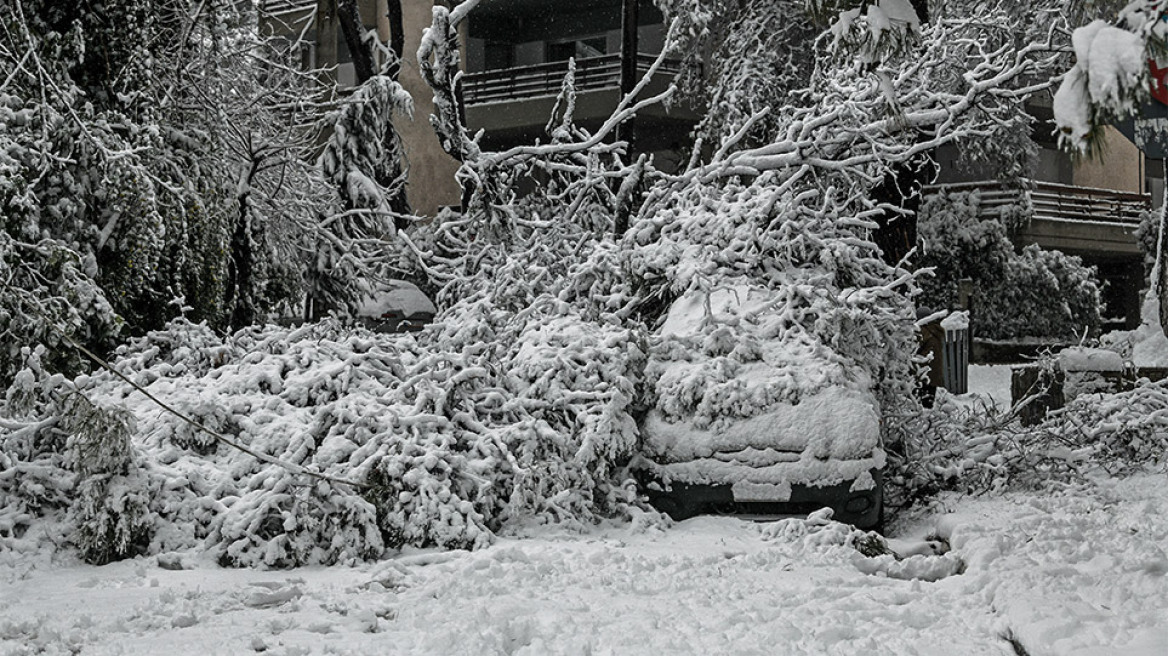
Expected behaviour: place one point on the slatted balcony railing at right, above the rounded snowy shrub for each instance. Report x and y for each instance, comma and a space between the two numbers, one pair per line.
1058, 203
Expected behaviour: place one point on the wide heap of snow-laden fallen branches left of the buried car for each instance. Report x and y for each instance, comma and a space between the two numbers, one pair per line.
420, 444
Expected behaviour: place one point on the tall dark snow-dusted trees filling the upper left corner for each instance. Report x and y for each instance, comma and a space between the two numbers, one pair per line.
170, 149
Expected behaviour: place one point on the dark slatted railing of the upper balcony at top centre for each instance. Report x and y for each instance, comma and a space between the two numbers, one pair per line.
546, 80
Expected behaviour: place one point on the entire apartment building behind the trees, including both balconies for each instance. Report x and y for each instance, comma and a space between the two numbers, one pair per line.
516, 57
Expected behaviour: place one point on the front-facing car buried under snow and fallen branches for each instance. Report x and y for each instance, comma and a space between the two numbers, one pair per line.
753, 417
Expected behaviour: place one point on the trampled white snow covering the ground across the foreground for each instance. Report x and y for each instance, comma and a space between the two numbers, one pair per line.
1075, 571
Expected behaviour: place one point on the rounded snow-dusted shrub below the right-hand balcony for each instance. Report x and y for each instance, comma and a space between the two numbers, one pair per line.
1033, 294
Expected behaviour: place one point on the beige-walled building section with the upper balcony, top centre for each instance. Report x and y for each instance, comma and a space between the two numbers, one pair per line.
516, 55
